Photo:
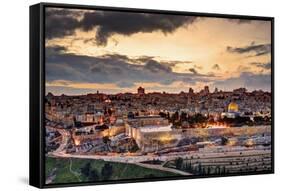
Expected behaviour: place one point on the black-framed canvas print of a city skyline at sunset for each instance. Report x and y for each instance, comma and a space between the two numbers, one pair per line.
122, 95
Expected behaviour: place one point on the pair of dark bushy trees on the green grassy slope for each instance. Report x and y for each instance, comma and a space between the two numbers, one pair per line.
93, 174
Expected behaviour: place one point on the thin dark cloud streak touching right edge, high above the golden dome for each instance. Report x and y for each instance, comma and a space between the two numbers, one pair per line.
256, 49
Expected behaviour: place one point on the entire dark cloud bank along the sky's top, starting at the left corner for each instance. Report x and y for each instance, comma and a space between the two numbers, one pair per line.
59, 24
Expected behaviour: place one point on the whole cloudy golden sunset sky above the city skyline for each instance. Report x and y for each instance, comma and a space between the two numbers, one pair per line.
116, 52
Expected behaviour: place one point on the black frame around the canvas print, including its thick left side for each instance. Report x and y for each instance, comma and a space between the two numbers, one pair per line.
37, 91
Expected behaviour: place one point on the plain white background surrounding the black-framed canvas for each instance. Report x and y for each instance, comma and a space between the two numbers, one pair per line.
14, 88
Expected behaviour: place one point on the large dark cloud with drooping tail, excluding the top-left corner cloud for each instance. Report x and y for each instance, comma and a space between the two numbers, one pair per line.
122, 23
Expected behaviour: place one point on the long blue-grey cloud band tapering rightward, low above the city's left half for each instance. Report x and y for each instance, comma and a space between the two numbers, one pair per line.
111, 69
